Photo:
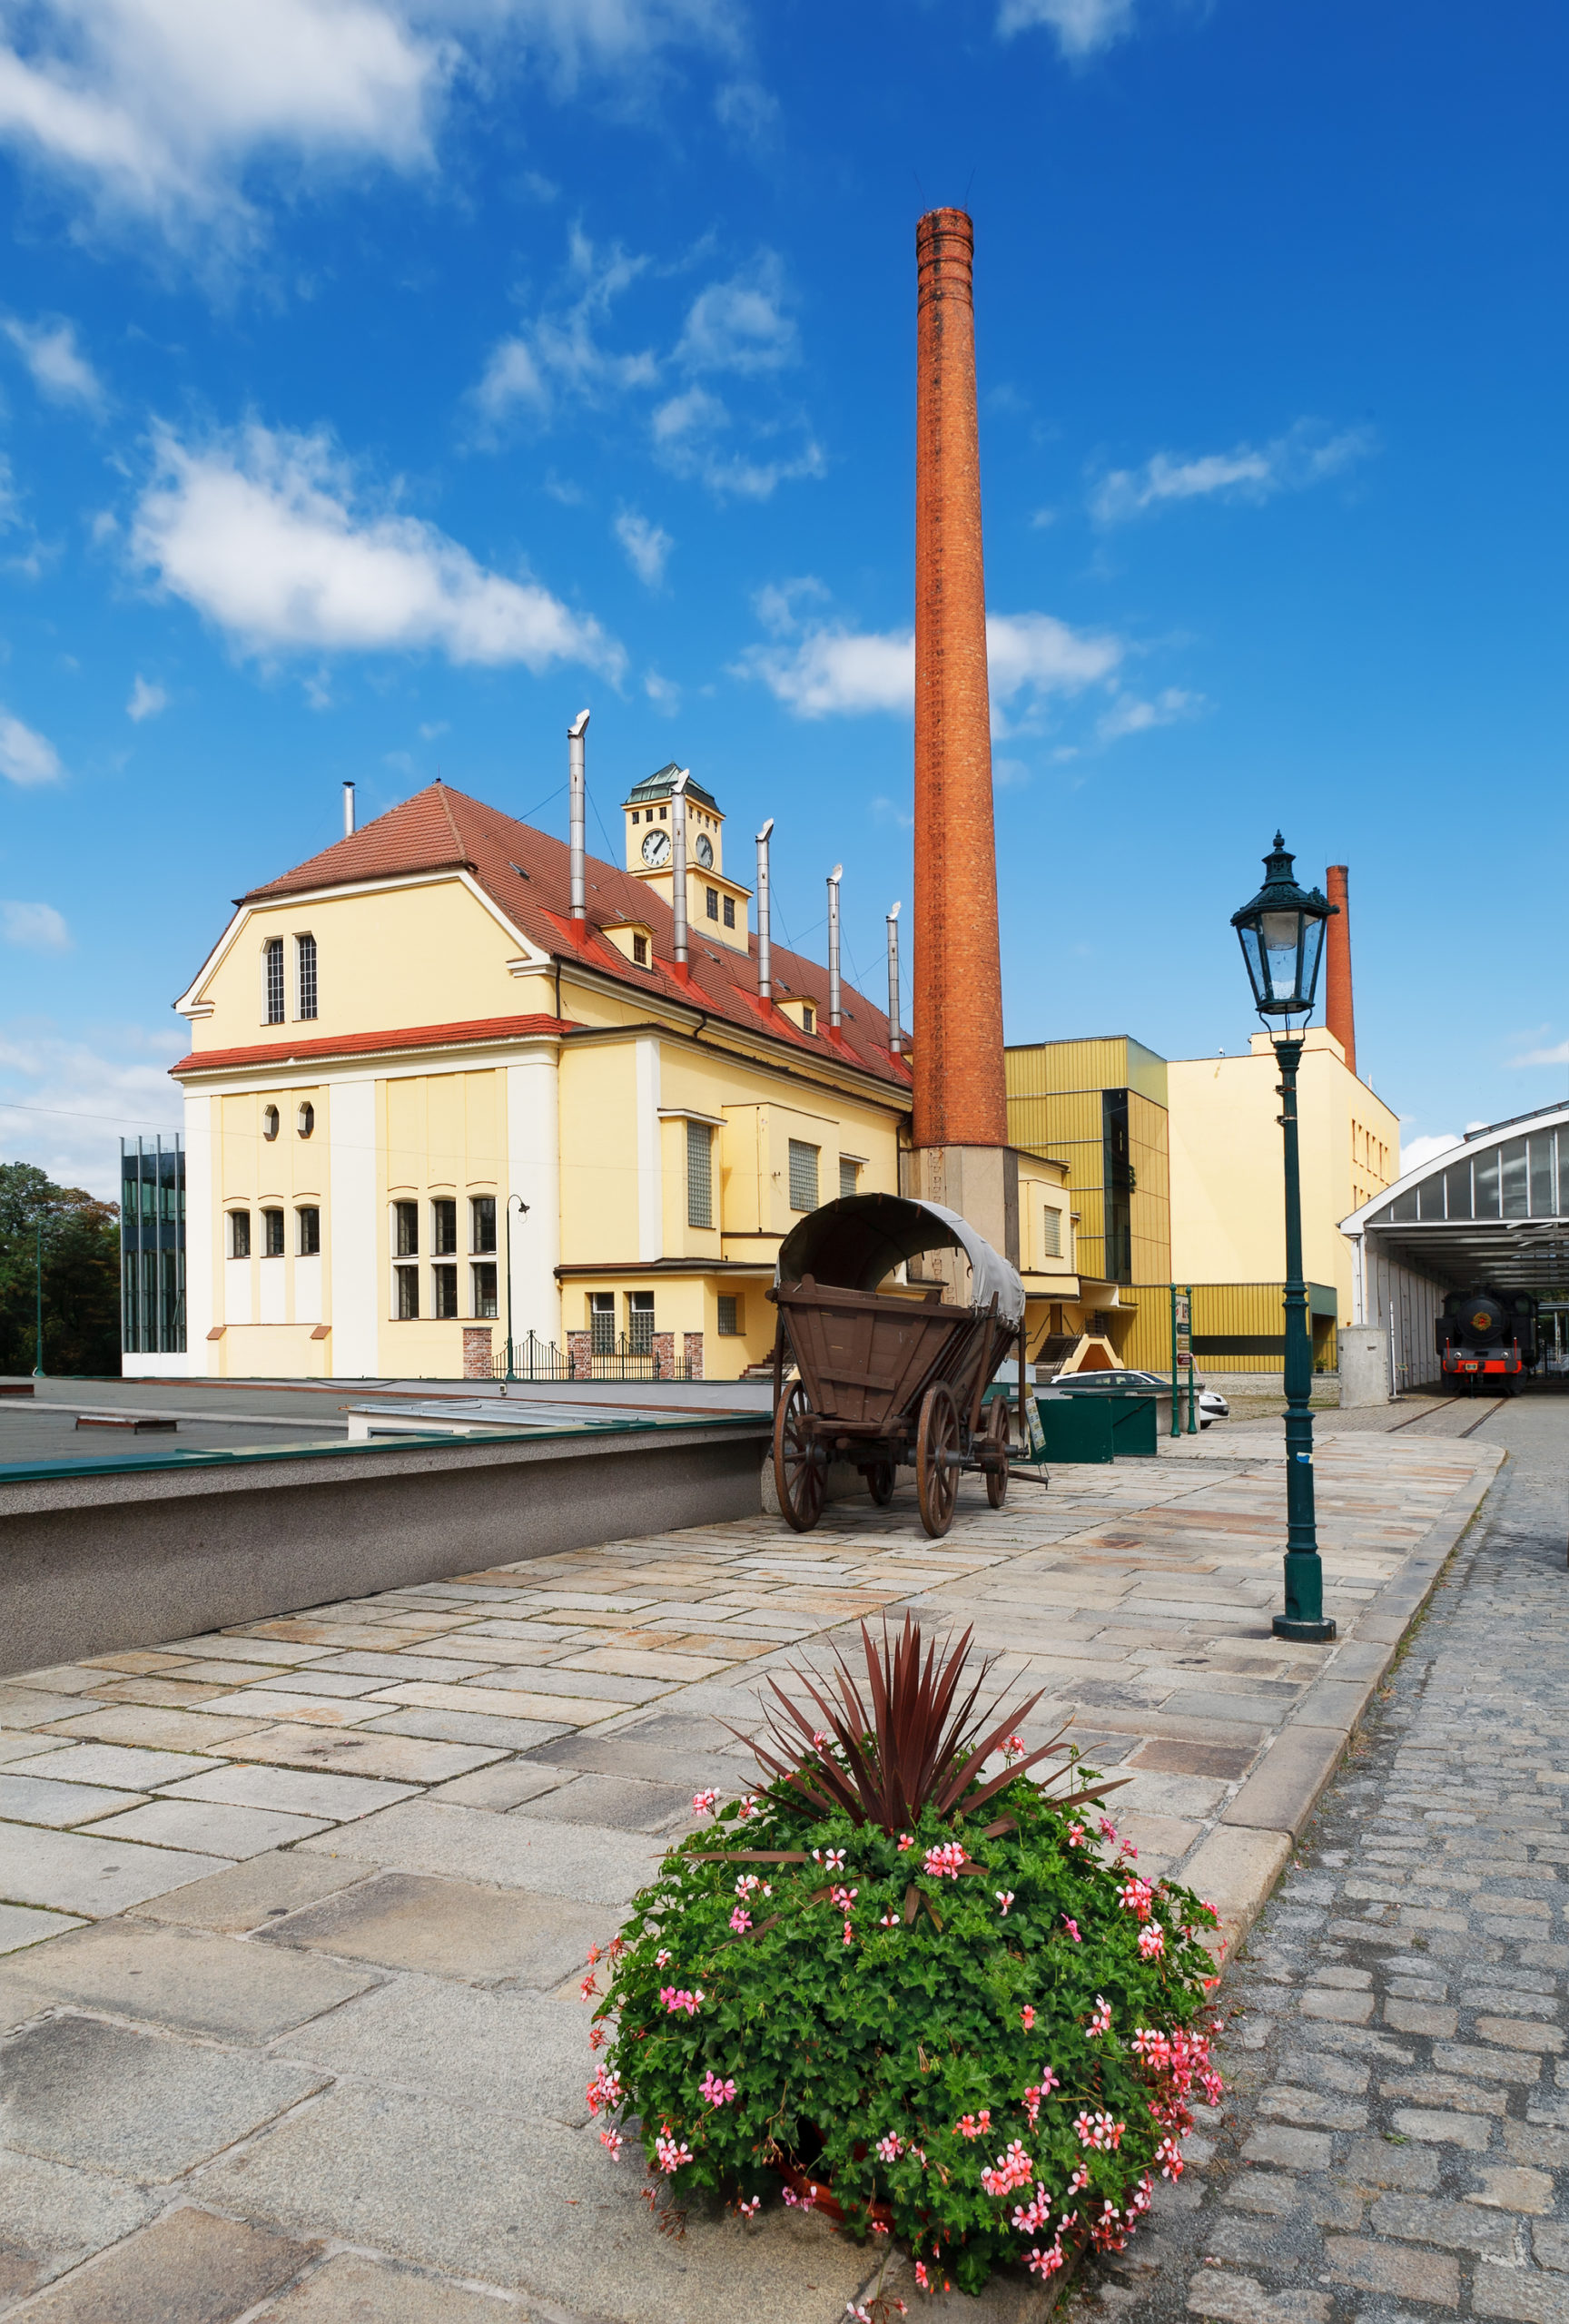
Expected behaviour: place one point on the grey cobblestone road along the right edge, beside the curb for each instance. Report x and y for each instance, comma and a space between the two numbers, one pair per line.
1396, 2139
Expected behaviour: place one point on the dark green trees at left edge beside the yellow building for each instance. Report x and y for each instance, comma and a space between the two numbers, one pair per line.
83, 1275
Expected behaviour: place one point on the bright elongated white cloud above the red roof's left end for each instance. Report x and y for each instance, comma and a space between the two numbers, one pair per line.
266, 536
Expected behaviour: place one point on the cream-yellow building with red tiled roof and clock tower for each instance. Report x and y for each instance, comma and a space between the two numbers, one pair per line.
408, 1059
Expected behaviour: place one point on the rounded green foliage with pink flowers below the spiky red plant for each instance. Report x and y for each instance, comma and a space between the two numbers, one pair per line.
936, 2046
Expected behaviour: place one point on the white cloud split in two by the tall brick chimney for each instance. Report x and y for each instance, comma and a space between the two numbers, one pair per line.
833, 670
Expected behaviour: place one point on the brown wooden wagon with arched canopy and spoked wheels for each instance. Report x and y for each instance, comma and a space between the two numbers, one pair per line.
889, 1377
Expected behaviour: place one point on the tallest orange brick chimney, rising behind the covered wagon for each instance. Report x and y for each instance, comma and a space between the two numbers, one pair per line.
961, 1100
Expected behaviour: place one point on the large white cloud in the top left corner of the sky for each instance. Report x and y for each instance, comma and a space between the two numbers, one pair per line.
166, 110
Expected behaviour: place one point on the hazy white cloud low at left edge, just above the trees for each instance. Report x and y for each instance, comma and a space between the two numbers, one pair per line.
66, 1103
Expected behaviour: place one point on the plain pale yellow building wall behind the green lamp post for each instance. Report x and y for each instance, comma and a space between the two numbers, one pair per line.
1228, 1193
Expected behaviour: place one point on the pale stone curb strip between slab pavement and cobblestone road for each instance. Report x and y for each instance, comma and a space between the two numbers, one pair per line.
1242, 1858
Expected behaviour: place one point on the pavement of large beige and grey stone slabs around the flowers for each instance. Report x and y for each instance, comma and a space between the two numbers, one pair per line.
475, 1777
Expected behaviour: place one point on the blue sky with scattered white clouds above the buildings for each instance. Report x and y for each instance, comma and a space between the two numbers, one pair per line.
382, 382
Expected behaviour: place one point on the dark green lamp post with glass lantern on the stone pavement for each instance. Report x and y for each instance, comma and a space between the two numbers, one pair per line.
1282, 940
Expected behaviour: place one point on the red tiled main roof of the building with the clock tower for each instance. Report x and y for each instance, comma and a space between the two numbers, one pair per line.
529, 875
